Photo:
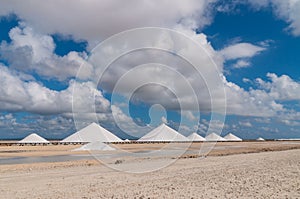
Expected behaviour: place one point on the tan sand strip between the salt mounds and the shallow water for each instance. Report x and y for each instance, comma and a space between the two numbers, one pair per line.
220, 148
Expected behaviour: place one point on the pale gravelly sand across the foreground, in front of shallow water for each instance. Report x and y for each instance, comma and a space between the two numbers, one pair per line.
253, 175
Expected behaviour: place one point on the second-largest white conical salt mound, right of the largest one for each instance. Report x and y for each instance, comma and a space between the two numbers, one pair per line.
163, 133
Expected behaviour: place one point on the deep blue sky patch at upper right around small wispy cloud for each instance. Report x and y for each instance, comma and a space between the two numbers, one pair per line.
251, 26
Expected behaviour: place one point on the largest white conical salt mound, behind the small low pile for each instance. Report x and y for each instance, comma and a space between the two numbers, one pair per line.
92, 133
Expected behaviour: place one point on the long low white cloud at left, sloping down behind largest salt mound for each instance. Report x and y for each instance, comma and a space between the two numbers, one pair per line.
86, 105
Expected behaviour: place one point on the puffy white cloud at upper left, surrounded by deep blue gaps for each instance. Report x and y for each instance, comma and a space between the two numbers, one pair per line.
30, 51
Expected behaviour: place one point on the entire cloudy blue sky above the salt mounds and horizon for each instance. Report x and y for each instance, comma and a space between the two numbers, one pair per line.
255, 44
